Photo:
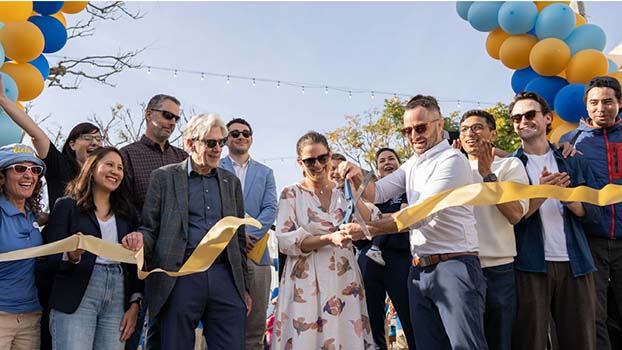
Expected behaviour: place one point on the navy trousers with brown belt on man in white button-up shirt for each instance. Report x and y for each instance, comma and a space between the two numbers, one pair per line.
447, 304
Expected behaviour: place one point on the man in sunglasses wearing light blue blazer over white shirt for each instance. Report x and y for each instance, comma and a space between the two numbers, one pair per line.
257, 181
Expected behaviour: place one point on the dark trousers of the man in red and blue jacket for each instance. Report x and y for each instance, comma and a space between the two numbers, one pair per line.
607, 254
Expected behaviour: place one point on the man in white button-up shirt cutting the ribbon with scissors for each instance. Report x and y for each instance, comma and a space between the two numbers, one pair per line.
446, 284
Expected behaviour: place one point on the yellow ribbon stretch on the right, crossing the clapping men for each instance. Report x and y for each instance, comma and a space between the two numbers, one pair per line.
492, 193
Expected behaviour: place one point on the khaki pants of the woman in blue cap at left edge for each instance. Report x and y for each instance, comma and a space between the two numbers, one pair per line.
20, 331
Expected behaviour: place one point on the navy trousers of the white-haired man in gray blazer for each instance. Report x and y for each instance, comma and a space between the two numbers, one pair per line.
210, 297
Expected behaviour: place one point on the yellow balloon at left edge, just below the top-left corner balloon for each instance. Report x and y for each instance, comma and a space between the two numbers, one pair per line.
22, 41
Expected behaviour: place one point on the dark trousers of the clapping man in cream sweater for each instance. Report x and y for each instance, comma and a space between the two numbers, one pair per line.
500, 306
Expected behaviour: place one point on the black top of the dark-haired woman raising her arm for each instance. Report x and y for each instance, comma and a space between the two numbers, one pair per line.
58, 174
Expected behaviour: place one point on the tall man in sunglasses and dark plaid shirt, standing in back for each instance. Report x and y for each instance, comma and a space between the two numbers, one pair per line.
151, 152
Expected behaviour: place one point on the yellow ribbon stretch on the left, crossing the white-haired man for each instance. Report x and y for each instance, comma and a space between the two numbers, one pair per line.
212, 244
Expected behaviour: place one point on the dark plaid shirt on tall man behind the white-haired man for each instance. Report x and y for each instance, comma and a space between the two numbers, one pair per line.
141, 158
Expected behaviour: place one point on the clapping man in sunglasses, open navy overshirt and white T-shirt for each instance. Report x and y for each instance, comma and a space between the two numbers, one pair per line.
554, 266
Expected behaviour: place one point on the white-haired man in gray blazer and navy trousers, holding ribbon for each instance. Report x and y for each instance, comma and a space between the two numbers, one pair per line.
183, 202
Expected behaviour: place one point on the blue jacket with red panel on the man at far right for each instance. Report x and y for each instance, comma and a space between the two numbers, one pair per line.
602, 150
